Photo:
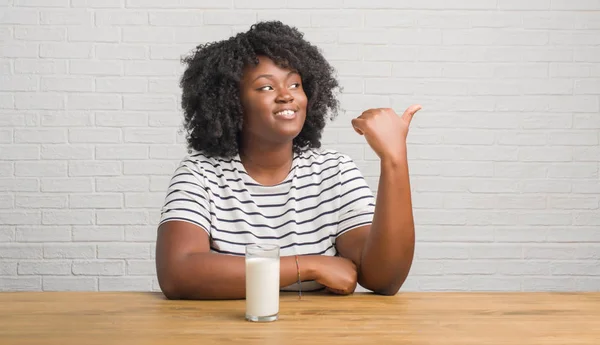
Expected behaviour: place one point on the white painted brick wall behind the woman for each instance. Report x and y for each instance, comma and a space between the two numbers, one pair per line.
505, 156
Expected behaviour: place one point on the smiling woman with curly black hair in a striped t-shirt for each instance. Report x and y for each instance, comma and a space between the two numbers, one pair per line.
255, 106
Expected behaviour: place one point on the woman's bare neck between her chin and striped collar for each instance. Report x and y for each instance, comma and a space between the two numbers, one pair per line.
267, 164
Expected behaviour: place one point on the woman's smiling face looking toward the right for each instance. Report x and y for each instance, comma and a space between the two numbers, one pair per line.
273, 101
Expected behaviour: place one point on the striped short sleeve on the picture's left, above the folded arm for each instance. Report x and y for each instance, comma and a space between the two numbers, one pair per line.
187, 198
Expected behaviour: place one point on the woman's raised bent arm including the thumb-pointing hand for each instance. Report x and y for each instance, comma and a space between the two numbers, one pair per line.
384, 250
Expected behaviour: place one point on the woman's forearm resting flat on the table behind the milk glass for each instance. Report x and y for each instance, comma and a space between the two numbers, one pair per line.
219, 276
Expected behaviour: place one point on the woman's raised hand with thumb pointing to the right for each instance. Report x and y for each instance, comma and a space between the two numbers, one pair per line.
385, 131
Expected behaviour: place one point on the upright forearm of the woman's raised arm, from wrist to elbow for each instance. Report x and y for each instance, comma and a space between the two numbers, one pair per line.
389, 248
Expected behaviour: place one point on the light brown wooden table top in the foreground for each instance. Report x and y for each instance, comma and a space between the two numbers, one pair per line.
409, 318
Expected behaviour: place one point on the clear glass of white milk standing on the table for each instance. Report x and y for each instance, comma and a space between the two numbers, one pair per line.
262, 282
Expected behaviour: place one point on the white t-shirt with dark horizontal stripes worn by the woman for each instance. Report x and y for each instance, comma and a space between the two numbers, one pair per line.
323, 196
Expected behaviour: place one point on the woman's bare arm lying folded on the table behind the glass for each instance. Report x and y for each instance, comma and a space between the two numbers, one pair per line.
186, 268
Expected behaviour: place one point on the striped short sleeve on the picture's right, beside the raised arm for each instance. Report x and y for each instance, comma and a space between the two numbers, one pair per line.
357, 200
